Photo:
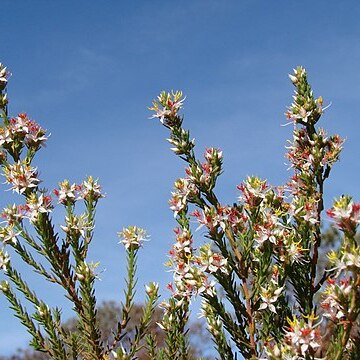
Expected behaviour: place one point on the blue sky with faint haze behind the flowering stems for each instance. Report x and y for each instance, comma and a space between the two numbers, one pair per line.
87, 70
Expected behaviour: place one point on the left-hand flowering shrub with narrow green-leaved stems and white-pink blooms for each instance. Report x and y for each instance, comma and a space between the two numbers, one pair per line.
28, 229
